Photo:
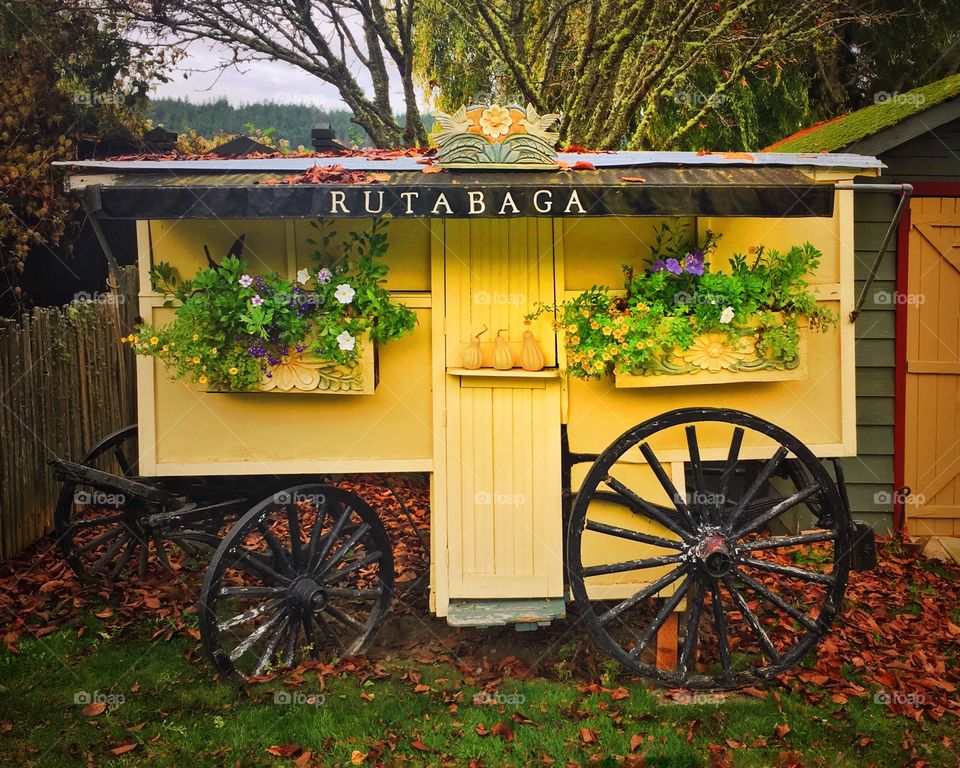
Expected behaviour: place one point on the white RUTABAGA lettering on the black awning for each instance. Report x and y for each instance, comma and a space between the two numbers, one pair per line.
460, 202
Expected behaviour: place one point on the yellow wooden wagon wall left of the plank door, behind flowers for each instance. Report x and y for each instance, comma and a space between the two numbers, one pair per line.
193, 432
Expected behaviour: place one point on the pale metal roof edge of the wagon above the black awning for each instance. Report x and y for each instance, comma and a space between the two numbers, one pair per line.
398, 164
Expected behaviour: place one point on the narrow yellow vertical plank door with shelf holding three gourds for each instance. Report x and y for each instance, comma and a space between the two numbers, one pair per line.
502, 462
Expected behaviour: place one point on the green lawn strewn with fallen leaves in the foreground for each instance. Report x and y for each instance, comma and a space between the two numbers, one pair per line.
404, 713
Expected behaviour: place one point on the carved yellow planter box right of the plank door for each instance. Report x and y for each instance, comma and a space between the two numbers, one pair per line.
714, 359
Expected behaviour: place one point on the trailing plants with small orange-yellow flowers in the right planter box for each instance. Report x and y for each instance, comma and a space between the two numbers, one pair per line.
758, 302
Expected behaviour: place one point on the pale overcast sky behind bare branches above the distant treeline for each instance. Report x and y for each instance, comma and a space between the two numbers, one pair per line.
256, 81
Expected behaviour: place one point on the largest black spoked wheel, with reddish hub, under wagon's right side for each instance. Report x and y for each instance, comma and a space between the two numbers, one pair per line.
755, 552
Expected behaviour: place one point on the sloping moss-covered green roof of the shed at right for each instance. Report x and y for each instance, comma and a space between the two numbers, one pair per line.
855, 128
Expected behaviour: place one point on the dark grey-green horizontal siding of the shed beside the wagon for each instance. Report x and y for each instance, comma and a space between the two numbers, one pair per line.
934, 156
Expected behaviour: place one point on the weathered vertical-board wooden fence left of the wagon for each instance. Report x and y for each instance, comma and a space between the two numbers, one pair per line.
65, 382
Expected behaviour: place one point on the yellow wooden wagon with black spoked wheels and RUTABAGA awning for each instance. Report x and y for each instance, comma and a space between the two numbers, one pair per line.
685, 516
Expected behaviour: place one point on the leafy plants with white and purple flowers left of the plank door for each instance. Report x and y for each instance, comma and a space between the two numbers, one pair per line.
231, 326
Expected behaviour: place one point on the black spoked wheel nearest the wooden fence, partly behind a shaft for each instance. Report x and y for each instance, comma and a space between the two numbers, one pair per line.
101, 532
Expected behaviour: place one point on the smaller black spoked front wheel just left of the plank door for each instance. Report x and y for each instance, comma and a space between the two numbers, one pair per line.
306, 572
